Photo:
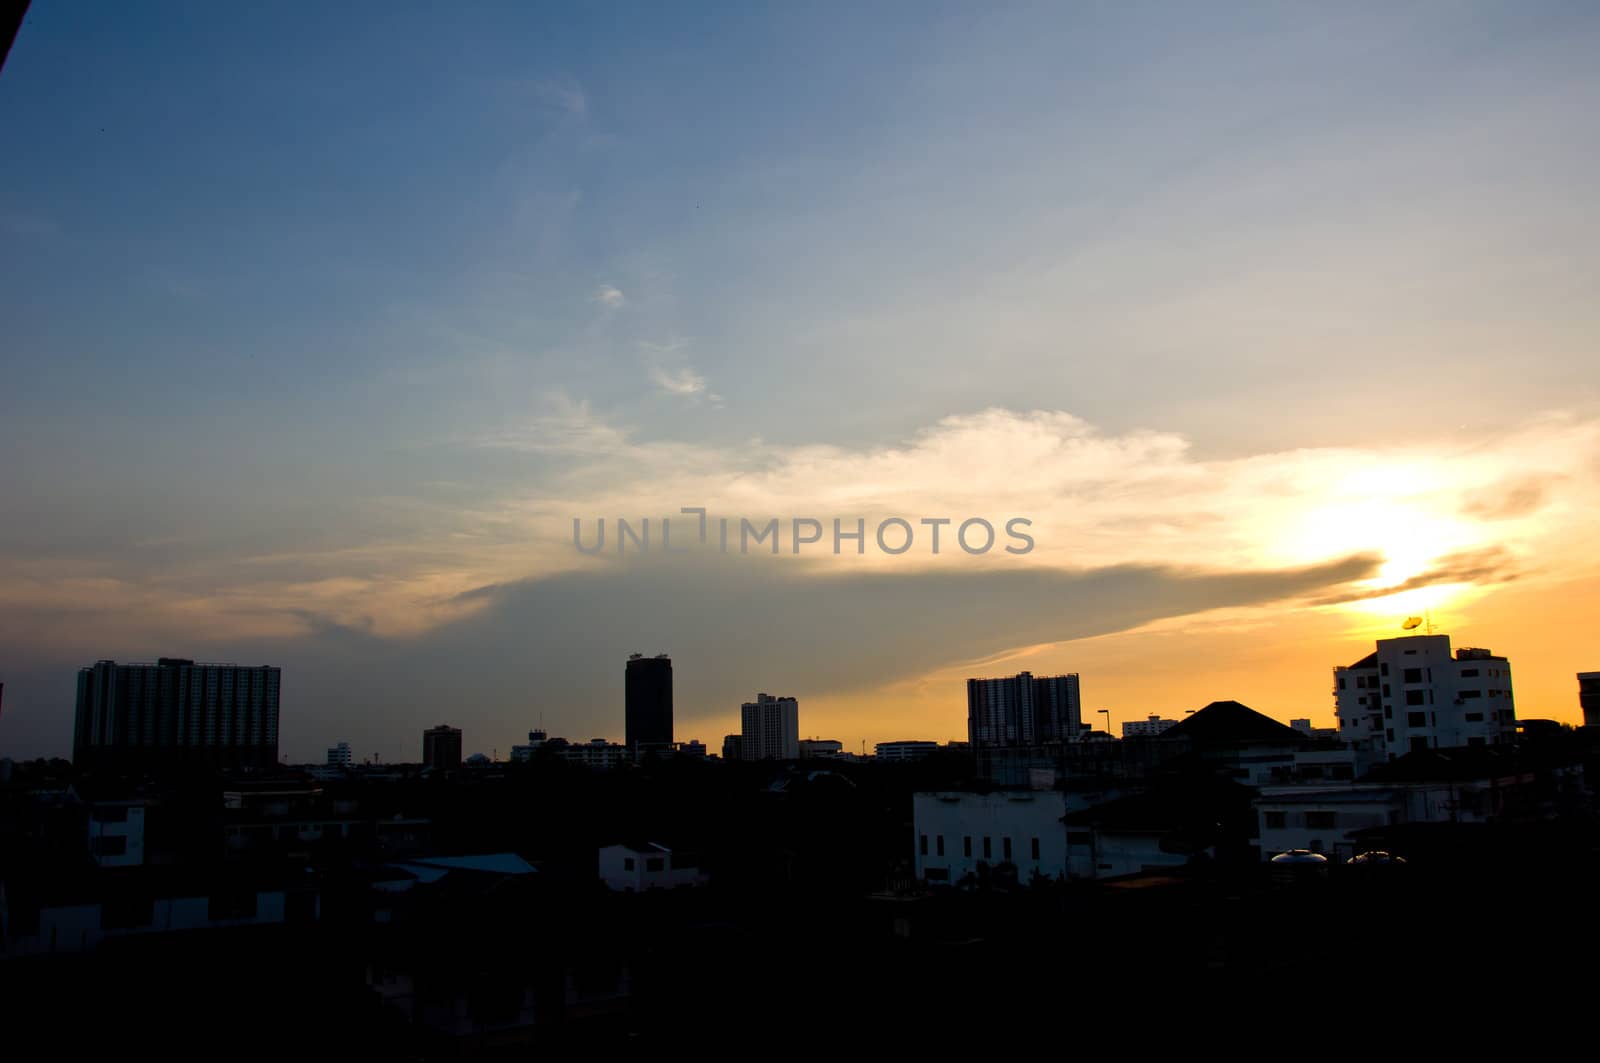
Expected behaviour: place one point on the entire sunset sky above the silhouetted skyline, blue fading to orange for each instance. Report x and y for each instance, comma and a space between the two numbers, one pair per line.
322, 327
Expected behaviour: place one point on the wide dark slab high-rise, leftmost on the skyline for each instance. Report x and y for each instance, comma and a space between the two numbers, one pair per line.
175, 710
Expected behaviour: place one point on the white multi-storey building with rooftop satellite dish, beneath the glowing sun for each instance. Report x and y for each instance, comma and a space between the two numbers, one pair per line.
1412, 694
